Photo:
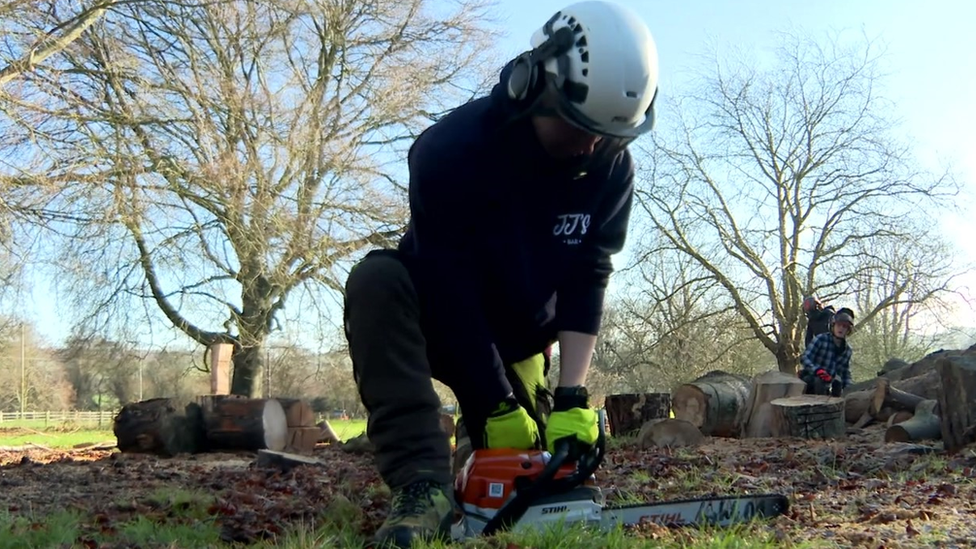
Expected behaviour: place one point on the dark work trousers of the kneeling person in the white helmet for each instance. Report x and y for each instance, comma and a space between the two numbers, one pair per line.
383, 326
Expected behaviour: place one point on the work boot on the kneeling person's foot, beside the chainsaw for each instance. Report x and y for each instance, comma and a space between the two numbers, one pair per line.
421, 511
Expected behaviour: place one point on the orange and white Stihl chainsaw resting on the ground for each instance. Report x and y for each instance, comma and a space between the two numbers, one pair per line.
507, 489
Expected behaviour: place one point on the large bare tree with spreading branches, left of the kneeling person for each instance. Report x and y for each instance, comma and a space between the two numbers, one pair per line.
239, 152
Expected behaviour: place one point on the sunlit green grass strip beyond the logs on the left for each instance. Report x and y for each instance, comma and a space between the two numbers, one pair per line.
69, 434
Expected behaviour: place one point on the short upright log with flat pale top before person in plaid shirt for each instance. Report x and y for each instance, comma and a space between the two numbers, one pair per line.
809, 416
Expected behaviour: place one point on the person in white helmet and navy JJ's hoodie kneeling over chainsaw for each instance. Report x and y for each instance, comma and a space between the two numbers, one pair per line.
517, 201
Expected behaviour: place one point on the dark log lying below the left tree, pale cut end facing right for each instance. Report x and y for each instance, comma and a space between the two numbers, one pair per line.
246, 424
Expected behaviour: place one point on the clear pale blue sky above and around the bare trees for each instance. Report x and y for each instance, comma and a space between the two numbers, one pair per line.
929, 57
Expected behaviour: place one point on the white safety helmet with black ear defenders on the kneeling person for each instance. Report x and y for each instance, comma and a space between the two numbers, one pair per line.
601, 61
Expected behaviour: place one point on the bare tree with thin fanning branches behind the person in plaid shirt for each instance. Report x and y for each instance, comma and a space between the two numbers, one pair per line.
778, 176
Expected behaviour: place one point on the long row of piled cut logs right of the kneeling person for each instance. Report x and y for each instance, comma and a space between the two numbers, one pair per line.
933, 398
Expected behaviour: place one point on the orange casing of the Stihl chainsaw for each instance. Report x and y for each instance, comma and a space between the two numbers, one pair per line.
488, 478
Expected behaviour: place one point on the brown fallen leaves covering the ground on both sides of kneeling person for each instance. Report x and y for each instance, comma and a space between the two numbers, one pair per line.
856, 492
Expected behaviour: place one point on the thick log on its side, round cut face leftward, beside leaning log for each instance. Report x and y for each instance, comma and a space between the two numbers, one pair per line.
715, 403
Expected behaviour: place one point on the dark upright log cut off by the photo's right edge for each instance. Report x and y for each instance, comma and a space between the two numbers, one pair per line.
957, 402
